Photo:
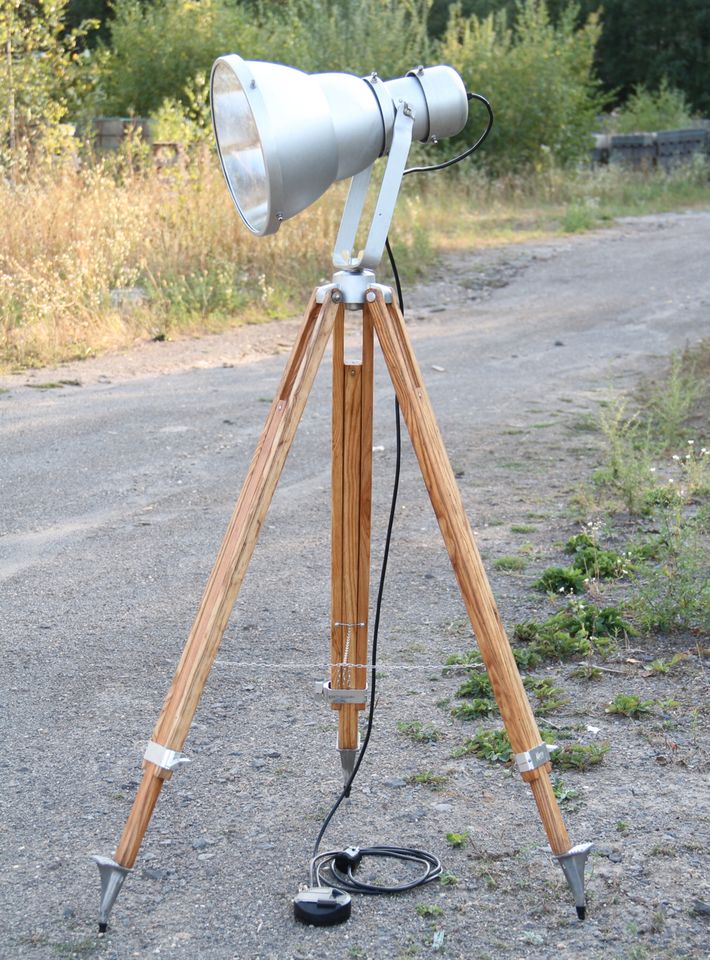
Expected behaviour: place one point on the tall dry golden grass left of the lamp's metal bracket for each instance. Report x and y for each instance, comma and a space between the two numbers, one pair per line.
96, 259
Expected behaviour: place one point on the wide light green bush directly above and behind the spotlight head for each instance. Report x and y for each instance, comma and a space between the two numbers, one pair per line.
158, 48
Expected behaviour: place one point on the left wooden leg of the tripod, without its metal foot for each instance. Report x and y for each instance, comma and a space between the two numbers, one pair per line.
230, 566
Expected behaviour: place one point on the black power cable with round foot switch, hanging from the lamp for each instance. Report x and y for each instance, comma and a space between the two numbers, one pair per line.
340, 865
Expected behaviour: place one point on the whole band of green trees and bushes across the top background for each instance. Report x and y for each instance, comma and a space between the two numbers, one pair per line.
536, 60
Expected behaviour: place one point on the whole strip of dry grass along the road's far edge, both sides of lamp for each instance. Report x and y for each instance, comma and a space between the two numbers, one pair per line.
96, 258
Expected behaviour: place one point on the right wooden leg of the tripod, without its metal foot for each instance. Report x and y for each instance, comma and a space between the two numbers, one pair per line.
465, 558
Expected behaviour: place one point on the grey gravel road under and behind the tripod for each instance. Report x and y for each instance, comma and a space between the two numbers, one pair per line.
115, 490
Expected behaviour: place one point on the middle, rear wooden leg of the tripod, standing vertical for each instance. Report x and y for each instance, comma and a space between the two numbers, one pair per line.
351, 508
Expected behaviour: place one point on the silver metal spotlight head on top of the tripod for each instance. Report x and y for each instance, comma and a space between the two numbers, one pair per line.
285, 136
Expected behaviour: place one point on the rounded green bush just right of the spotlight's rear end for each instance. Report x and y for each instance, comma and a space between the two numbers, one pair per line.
538, 76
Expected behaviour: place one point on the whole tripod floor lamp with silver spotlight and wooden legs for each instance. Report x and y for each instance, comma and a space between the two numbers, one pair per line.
284, 137
